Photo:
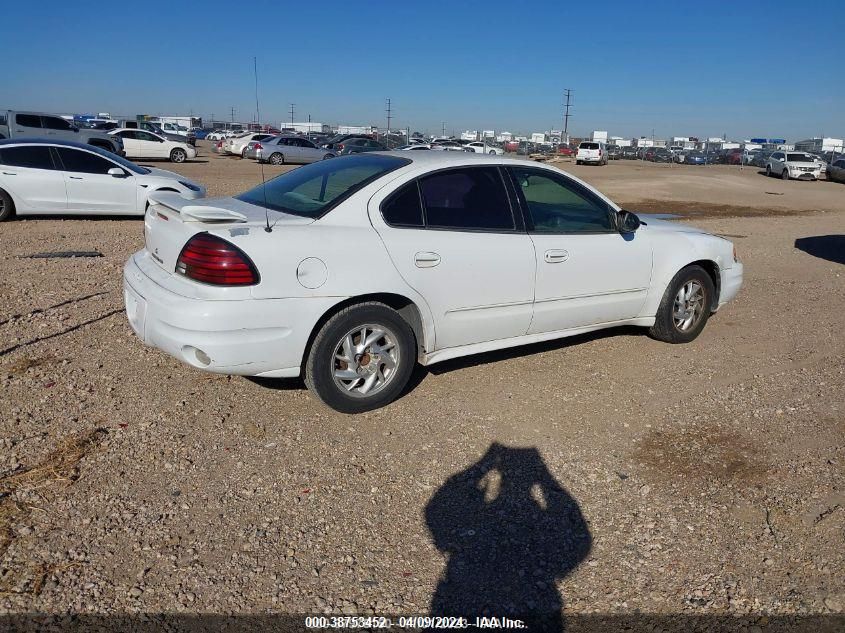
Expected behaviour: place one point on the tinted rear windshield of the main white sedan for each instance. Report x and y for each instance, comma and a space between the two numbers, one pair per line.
312, 190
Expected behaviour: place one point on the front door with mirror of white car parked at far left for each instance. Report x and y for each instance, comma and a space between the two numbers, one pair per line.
91, 189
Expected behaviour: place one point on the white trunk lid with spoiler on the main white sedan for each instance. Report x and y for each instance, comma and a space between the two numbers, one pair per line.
172, 220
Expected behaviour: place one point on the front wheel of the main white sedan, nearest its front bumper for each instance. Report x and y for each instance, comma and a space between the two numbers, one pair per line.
685, 307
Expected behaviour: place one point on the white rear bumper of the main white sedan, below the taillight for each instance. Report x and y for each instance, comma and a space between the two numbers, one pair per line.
247, 337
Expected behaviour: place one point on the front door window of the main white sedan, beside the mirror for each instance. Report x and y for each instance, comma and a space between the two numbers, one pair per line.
557, 206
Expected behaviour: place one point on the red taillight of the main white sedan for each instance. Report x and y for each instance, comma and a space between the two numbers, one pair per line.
212, 260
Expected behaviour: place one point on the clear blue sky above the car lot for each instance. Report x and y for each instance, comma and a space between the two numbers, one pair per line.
743, 69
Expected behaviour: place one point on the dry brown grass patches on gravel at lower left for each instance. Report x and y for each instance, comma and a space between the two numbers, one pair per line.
58, 470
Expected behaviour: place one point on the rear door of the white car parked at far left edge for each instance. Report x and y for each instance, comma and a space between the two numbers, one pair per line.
32, 177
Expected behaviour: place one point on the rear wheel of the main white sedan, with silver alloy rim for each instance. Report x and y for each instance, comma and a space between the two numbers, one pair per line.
361, 359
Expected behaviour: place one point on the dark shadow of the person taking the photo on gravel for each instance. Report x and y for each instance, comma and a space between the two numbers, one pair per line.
510, 532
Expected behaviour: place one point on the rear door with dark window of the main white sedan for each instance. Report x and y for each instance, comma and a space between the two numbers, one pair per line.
454, 238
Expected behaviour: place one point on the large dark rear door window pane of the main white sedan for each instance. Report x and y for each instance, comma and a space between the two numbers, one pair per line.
470, 199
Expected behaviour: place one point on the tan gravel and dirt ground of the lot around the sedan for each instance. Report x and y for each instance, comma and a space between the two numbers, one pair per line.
608, 473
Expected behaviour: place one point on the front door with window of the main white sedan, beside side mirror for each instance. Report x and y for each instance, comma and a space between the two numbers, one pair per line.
587, 272
